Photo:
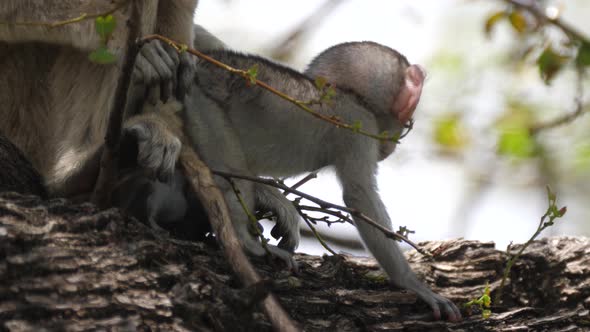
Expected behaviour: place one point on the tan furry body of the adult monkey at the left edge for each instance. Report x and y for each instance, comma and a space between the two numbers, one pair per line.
55, 101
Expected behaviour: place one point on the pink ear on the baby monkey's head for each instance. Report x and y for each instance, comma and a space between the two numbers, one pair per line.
409, 95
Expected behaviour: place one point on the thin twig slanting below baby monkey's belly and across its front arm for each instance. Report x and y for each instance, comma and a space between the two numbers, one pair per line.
327, 205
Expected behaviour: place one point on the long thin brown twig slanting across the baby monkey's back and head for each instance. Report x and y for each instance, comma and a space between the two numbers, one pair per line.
301, 104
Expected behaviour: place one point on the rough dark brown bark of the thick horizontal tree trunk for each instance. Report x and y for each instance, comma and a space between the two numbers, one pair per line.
68, 267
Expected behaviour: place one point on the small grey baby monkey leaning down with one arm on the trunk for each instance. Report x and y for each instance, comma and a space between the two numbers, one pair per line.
244, 129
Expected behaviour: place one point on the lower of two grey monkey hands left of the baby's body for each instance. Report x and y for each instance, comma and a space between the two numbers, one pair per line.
153, 146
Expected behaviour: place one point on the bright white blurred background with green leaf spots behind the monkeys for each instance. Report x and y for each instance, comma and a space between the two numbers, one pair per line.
472, 167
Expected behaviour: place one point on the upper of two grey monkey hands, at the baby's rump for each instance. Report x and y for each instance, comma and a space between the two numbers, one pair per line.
163, 72
